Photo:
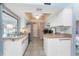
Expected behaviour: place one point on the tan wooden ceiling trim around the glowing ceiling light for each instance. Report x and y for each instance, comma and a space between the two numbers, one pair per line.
42, 18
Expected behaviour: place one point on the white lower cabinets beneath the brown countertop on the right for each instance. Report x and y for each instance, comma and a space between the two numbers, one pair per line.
57, 47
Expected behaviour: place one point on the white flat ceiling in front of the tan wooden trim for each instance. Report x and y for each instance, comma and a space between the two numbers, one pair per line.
21, 8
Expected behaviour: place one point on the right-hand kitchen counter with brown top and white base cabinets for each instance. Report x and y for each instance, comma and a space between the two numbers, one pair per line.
57, 44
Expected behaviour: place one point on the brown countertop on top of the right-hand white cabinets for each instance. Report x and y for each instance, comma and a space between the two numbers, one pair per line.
58, 35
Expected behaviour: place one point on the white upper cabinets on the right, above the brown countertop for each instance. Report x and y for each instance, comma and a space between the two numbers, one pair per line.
64, 18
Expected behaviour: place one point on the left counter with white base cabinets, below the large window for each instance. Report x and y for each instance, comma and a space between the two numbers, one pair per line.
15, 46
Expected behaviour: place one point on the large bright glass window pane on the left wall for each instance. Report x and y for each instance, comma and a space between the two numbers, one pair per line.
10, 25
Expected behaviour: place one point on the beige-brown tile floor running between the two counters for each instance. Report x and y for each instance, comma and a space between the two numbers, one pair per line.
35, 48
